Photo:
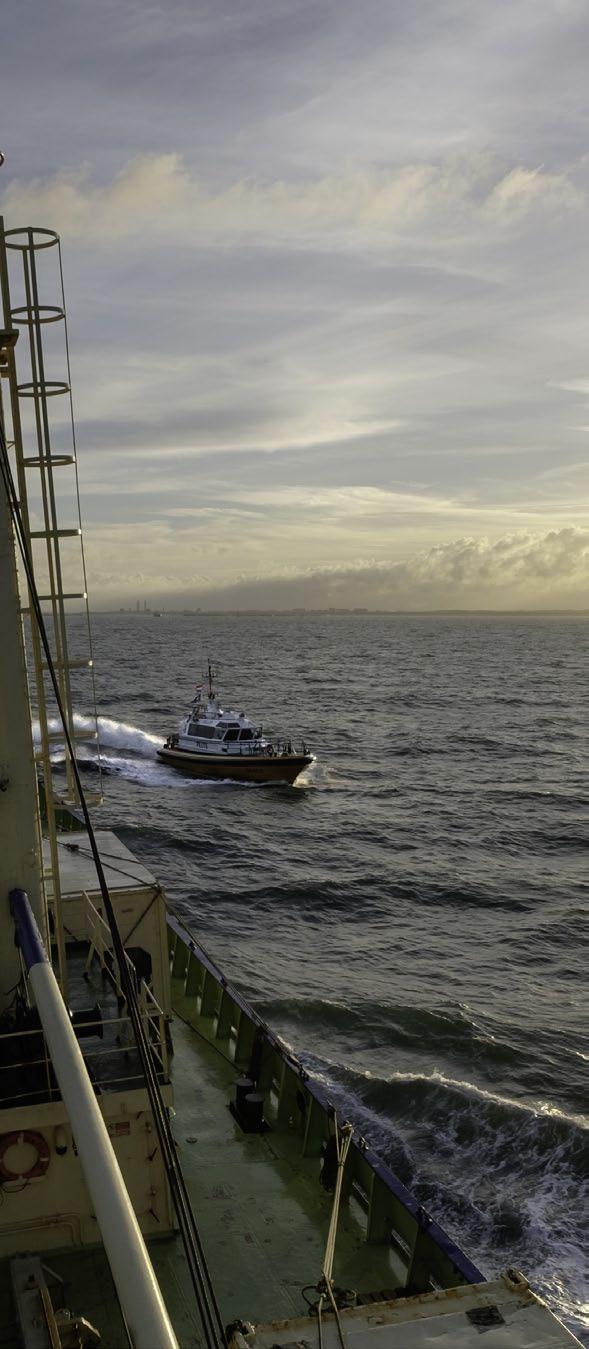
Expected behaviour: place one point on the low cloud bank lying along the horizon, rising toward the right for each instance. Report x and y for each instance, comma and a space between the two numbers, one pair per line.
517, 571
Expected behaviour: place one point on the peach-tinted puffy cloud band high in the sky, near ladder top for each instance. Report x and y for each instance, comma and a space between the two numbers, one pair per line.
158, 195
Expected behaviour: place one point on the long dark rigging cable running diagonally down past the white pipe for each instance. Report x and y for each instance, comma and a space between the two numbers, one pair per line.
203, 1285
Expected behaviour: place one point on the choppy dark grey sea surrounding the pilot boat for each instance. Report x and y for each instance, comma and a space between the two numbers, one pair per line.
410, 915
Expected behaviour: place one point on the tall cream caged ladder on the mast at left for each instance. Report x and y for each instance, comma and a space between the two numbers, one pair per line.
42, 446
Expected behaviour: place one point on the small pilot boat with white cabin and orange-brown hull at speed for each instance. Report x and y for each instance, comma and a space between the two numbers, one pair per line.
220, 744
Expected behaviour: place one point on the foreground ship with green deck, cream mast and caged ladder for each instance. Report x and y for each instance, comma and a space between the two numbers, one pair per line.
170, 1174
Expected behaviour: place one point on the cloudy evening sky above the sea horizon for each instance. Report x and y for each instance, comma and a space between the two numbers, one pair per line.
327, 289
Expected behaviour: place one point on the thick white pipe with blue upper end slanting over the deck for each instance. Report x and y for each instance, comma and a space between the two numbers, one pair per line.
148, 1320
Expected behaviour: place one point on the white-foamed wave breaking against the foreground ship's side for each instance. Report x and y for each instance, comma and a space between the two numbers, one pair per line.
507, 1178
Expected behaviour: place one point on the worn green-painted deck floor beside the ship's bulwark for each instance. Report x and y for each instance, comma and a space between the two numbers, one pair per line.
261, 1207
